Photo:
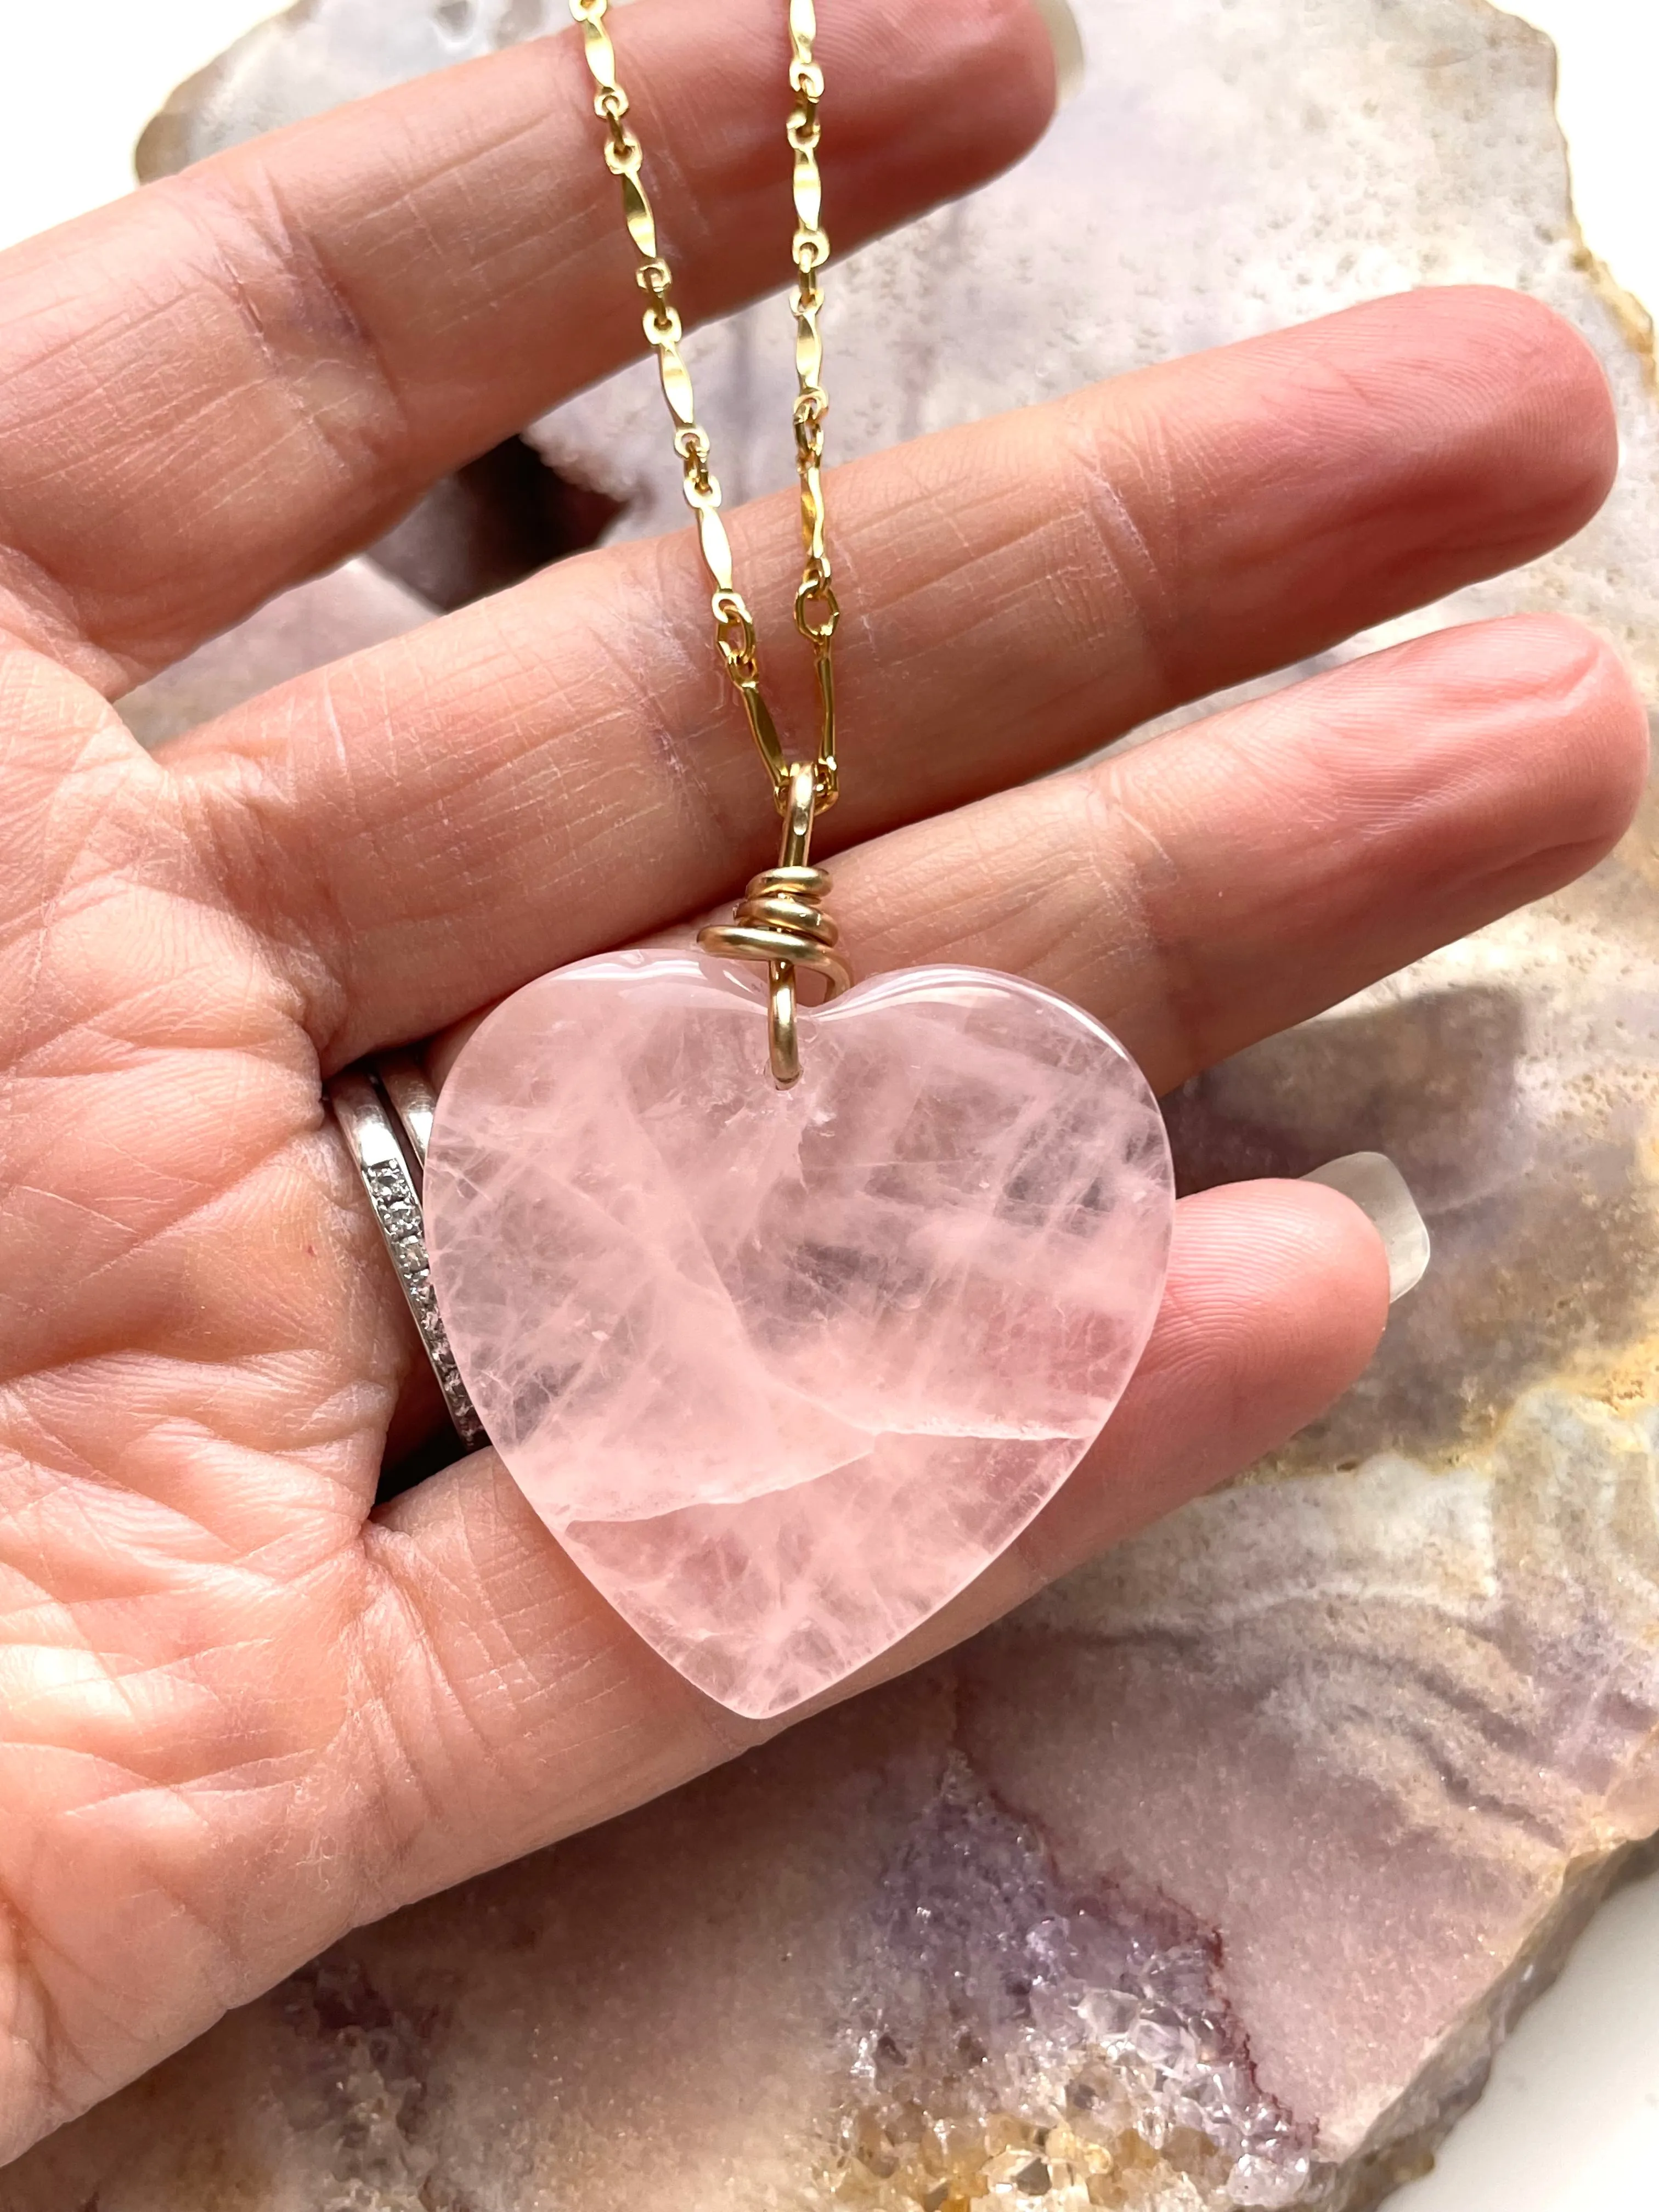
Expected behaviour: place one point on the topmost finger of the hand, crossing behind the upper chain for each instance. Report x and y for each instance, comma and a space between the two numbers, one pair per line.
240, 375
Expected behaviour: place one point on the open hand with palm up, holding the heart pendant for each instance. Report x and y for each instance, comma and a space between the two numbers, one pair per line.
240, 1709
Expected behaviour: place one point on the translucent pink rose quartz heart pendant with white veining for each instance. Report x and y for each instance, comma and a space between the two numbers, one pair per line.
786, 1370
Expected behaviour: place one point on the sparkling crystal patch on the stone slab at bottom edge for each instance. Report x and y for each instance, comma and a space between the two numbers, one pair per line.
1036, 2049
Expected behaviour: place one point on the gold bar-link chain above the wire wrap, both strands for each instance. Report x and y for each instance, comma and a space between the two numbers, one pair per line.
815, 603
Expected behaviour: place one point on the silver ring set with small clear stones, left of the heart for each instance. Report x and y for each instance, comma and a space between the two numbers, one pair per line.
386, 1109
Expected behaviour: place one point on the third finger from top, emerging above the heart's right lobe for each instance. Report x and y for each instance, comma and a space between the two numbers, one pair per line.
1269, 862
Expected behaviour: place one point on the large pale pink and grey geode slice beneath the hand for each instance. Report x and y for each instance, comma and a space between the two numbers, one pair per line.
1213, 1877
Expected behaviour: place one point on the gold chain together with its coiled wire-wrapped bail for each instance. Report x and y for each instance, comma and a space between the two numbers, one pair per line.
782, 917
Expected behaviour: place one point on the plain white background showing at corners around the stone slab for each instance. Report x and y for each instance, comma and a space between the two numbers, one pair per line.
1572, 2118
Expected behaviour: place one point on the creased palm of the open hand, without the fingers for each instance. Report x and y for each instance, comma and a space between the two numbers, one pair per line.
200, 1373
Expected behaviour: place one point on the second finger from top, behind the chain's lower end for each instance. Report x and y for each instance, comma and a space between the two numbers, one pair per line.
563, 769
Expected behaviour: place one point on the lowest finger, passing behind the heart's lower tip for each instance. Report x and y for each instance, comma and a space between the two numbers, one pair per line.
517, 1707
